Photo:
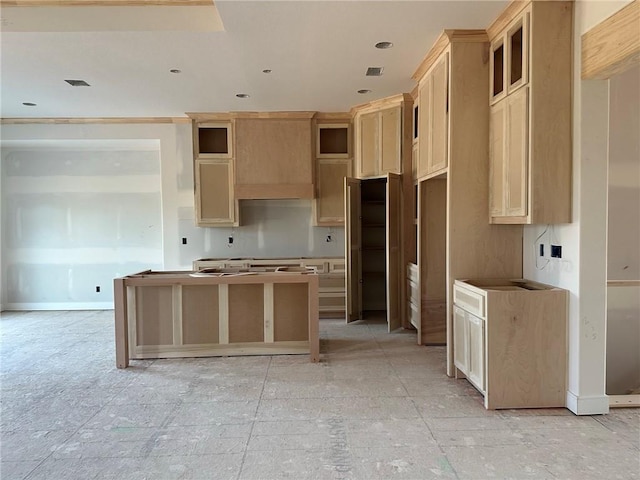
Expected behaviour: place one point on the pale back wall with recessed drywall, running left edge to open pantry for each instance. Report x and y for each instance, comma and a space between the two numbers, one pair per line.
270, 228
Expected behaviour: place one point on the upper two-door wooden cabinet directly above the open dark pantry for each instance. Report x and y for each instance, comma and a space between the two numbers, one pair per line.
381, 133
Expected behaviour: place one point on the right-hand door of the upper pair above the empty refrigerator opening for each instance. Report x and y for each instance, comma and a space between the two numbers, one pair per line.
439, 115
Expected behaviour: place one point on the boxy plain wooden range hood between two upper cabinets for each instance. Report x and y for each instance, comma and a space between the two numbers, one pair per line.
274, 155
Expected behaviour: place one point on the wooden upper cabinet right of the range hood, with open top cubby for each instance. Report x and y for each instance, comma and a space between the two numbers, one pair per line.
333, 165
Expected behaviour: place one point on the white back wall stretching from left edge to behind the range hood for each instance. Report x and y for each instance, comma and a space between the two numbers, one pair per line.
269, 228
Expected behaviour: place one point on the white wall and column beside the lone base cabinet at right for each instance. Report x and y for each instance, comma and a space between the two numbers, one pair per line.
582, 270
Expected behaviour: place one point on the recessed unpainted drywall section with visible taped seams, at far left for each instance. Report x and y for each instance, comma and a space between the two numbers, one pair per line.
76, 214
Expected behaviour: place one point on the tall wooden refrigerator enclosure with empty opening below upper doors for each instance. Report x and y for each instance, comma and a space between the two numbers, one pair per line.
454, 237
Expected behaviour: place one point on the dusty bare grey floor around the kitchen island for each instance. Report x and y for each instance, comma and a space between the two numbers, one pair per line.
376, 407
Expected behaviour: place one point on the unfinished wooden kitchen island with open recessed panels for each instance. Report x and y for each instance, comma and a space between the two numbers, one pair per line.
193, 314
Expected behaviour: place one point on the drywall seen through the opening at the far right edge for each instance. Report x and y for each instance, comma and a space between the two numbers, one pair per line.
623, 241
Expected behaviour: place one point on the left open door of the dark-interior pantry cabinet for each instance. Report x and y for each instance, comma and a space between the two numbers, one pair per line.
353, 246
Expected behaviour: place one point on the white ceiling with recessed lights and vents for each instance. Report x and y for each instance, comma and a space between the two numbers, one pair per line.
318, 52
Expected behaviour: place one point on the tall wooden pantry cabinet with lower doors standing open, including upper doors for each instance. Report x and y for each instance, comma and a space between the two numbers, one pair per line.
376, 211
